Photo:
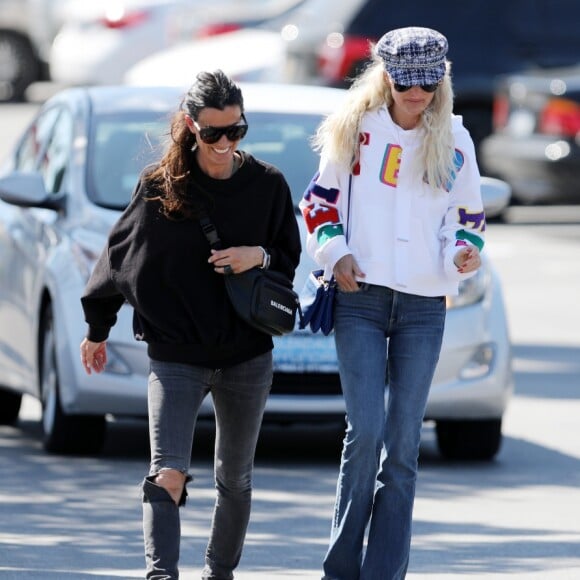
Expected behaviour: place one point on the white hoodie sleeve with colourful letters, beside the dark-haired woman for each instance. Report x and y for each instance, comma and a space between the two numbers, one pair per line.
324, 207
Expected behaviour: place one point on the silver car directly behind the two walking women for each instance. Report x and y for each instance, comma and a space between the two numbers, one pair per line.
65, 184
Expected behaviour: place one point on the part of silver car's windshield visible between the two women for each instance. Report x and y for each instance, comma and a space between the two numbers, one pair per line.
283, 141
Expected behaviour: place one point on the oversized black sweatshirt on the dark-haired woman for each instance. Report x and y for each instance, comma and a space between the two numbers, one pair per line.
160, 267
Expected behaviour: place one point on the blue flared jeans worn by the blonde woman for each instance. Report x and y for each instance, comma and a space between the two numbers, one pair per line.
382, 336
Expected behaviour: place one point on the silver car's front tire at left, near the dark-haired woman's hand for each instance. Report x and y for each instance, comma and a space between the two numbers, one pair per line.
62, 432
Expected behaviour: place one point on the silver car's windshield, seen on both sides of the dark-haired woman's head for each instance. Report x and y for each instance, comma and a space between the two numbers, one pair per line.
121, 147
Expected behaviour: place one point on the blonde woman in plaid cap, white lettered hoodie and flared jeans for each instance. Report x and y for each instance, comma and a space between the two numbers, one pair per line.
395, 213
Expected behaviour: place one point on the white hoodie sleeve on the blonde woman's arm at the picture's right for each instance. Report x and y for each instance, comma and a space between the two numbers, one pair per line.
464, 222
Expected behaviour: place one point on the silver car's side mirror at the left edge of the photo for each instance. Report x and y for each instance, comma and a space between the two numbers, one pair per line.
28, 190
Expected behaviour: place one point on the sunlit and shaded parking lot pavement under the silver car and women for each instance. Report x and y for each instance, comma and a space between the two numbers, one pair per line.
516, 517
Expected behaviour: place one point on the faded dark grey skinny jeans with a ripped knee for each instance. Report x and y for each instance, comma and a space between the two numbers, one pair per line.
175, 394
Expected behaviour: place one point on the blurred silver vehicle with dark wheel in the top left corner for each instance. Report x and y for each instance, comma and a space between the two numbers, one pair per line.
27, 29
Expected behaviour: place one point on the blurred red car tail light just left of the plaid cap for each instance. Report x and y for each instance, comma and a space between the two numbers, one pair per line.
340, 56
